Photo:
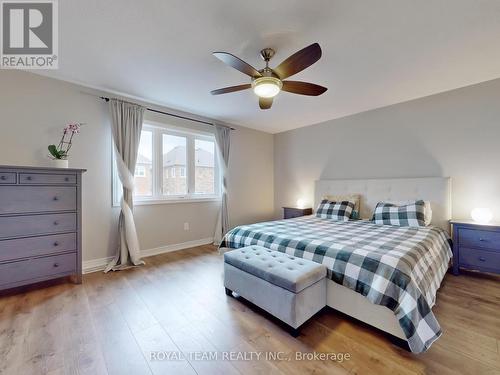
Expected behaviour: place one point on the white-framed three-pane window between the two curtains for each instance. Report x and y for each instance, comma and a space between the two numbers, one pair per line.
173, 165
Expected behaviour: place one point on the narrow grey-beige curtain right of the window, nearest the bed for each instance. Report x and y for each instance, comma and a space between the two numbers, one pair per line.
223, 138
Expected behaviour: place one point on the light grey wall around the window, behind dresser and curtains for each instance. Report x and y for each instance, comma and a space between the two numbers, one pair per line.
33, 110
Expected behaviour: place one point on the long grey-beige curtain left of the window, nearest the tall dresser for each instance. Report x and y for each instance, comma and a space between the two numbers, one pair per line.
126, 124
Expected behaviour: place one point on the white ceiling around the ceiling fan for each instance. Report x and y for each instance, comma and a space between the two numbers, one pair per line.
375, 53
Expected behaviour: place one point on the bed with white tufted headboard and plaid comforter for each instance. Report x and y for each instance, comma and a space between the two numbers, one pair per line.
383, 275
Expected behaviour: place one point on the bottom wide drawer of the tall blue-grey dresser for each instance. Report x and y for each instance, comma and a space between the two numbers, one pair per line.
29, 269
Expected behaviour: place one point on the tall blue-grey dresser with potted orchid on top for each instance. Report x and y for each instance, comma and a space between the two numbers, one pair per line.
40, 225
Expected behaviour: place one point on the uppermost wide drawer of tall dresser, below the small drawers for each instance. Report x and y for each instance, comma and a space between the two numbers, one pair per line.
29, 199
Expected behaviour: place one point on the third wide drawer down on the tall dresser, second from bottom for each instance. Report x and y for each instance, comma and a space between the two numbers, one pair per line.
36, 246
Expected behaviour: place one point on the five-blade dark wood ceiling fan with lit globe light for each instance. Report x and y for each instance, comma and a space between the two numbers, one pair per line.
267, 83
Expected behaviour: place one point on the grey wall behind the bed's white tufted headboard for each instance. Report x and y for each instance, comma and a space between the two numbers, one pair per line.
455, 134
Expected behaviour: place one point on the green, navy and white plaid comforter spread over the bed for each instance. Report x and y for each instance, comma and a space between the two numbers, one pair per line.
397, 267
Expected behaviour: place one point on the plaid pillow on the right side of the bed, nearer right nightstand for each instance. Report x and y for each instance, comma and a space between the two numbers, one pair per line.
410, 215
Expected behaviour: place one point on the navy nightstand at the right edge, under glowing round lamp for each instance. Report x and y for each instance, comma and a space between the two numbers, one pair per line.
476, 246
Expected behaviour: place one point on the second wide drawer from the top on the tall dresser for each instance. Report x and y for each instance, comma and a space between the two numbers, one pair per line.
15, 226
